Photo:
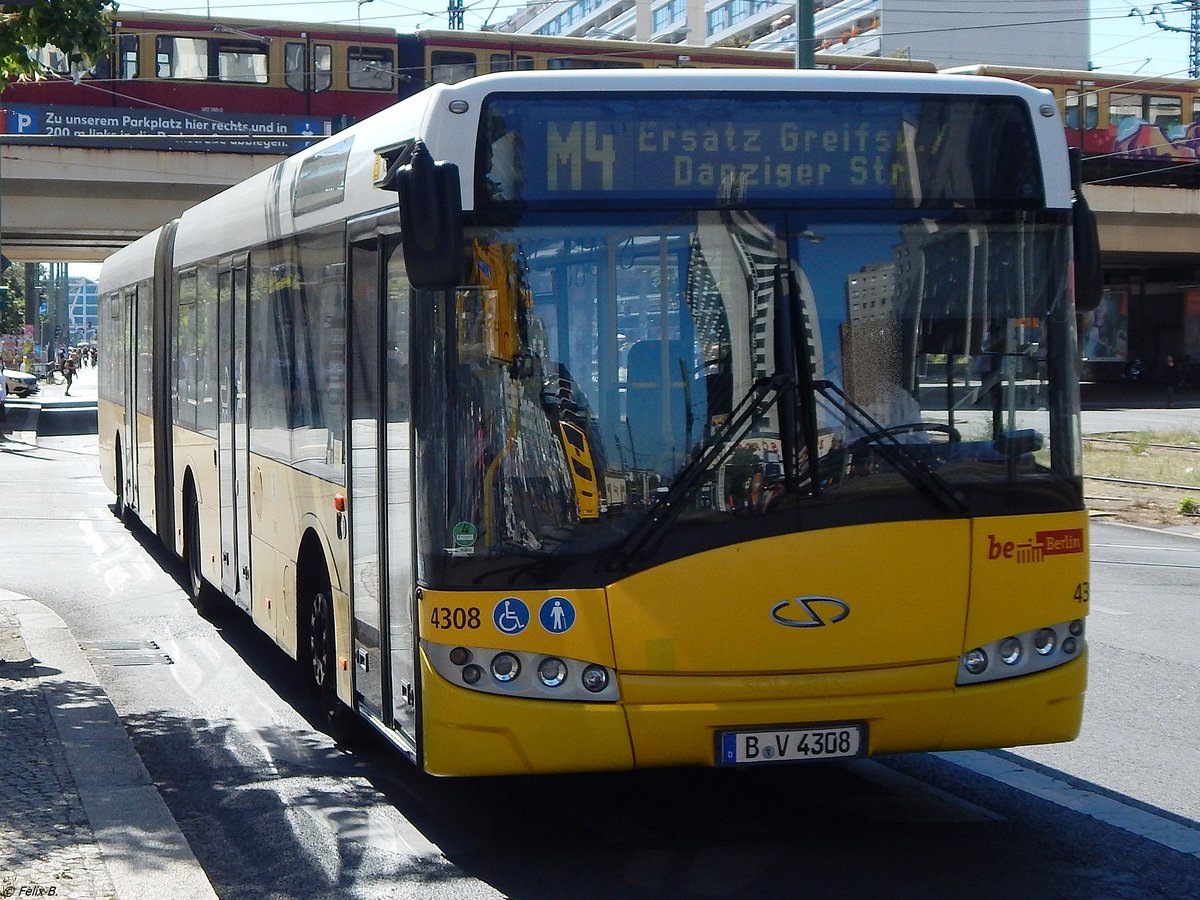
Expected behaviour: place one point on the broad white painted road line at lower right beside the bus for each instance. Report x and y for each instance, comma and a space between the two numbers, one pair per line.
1160, 830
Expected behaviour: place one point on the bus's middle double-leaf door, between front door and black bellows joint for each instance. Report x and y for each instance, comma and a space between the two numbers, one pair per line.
233, 433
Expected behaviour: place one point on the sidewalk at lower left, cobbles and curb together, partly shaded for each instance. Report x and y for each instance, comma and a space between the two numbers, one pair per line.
80, 817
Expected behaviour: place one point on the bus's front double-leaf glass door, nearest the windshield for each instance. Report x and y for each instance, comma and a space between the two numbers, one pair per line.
380, 488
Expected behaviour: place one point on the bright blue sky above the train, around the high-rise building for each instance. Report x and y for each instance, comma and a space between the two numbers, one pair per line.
1121, 40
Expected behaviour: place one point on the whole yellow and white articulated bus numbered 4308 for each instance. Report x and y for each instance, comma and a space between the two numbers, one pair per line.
567, 422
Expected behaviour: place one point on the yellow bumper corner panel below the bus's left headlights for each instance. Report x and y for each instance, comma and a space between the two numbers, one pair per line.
469, 734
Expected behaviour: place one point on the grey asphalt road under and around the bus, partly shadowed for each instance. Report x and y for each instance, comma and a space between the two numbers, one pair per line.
273, 808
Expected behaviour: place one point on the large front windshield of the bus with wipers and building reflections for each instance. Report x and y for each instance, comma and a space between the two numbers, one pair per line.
623, 388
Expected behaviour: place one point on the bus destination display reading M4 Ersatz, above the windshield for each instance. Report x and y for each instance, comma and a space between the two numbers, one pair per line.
863, 151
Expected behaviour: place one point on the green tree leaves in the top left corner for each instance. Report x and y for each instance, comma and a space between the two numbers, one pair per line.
77, 28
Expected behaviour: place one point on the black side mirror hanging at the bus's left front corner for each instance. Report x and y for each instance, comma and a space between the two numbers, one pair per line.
431, 221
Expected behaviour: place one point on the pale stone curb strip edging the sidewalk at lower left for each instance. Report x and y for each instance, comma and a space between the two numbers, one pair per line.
141, 844
